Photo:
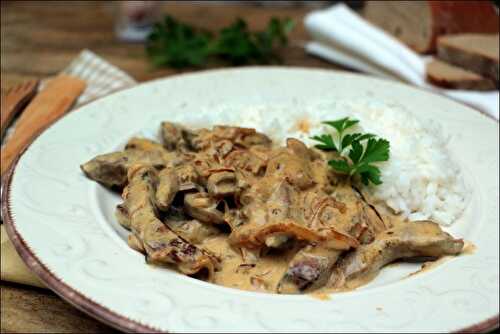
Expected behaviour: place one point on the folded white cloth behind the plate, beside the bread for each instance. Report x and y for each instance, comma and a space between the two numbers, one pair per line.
342, 36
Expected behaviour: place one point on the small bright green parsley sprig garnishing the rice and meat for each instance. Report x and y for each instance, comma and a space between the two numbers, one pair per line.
356, 158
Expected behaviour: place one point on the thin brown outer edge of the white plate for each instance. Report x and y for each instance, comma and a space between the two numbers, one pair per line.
101, 312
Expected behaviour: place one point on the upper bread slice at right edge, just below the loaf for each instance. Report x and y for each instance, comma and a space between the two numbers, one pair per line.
478, 53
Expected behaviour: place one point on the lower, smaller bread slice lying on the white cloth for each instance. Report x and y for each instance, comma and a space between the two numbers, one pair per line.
449, 76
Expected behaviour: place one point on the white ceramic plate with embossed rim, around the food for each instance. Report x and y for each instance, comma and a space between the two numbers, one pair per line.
62, 223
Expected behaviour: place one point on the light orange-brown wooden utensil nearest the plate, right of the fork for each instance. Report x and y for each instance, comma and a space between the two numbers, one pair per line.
48, 106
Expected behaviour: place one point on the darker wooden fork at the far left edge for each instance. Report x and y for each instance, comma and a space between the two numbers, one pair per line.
14, 101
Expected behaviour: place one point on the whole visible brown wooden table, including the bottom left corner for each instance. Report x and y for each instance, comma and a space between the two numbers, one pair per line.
40, 39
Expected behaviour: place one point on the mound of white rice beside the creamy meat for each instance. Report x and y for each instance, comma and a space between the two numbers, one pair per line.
420, 180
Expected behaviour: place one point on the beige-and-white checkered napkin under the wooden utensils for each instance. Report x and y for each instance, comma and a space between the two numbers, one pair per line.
102, 78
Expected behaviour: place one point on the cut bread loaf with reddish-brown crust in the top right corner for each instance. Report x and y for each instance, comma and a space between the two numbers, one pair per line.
419, 23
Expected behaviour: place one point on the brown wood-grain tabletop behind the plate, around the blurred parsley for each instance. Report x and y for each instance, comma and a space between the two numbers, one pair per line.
39, 39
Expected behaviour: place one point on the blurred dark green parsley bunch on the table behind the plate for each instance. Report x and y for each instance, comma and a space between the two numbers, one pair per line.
176, 44
